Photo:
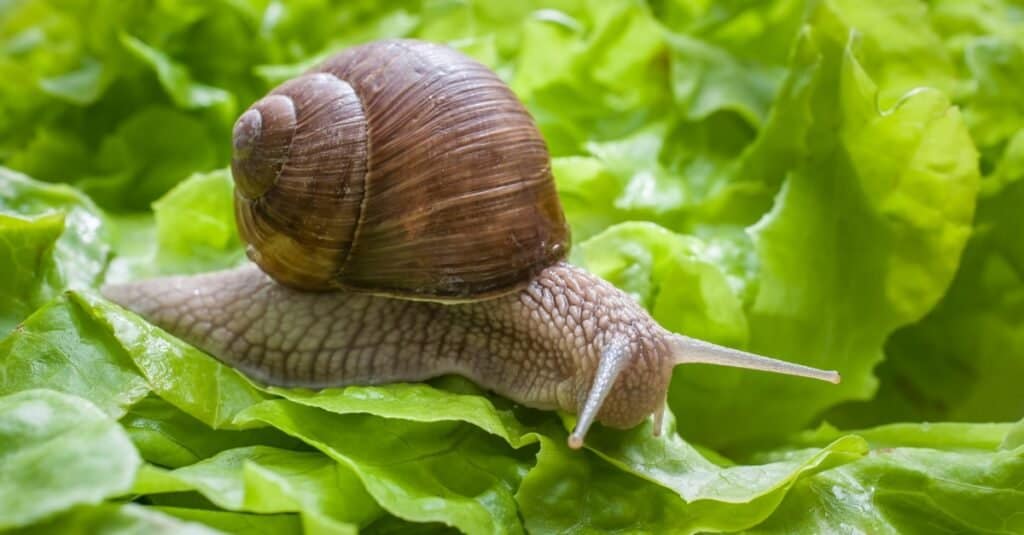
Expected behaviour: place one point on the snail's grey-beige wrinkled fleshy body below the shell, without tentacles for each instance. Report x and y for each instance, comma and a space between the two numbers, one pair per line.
540, 347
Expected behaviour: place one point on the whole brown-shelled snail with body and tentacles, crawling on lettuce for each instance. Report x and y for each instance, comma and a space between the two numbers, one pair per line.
400, 204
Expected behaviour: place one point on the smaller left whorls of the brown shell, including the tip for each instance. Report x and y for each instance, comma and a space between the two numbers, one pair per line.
303, 179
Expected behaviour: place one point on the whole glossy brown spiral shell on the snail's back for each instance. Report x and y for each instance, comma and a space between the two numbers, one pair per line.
399, 168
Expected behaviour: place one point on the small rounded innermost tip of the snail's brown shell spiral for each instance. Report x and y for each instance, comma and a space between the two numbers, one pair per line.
262, 143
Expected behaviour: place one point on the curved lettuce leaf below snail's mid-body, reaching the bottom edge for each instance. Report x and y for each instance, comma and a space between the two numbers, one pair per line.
449, 473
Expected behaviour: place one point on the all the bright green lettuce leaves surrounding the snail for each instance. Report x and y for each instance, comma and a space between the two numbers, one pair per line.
837, 183
